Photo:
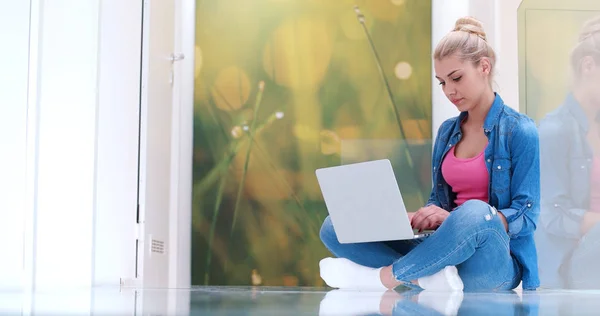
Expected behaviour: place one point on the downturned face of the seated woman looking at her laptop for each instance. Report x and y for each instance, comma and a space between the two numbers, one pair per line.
463, 83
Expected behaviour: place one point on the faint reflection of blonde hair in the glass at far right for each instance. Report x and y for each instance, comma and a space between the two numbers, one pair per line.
588, 45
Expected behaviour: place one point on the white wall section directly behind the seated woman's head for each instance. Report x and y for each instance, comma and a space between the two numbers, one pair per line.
499, 18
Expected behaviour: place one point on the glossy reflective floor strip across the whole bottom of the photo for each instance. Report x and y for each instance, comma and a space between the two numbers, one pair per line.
294, 301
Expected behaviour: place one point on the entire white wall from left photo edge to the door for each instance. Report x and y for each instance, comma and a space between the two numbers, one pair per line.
69, 123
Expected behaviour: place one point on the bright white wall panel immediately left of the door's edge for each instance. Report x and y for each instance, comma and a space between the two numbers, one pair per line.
117, 144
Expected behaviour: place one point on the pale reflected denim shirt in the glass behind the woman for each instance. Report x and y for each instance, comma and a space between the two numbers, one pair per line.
566, 162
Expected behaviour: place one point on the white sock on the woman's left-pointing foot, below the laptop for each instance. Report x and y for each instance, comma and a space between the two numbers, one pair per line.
345, 274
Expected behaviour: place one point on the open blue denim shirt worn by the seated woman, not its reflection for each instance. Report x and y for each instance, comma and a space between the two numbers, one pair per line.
512, 160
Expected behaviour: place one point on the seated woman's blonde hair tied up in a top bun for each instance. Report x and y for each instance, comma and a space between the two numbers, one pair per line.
468, 41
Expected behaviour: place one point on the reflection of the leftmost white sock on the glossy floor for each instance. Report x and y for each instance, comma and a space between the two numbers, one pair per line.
349, 302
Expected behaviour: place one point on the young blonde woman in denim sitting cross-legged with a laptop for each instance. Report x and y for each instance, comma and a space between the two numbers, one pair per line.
485, 199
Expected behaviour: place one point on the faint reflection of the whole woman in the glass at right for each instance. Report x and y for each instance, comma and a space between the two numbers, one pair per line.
570, 164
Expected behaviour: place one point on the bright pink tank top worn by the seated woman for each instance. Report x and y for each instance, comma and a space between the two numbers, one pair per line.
468, 178
